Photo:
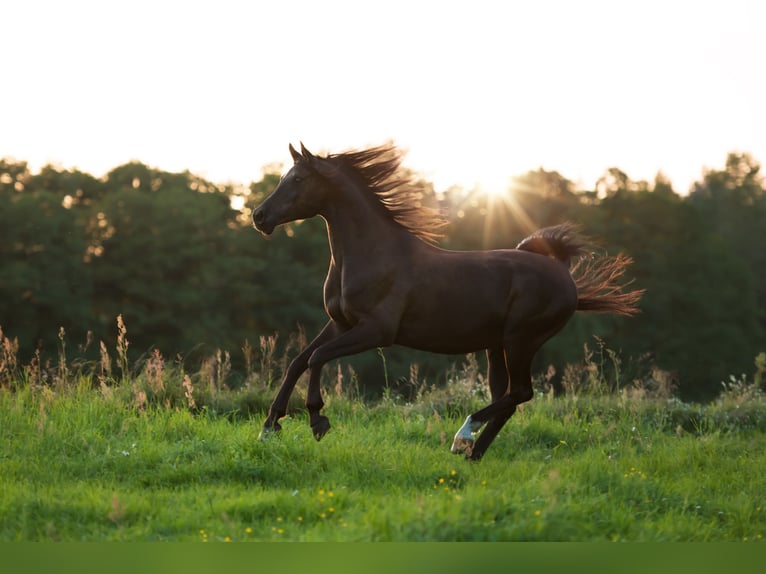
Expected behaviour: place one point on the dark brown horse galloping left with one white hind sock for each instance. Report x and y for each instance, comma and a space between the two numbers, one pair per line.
389, 284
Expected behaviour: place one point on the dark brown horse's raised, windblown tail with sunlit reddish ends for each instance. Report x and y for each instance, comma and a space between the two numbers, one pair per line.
596, 276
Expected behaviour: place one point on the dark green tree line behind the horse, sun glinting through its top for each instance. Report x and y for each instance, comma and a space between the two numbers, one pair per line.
171, 254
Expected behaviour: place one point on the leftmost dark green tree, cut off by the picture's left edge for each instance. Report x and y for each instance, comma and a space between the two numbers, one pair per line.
44, 281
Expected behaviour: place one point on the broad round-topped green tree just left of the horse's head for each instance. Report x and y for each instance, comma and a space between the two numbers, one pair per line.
160, 256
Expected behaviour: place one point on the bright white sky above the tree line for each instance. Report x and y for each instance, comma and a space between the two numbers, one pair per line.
476, 91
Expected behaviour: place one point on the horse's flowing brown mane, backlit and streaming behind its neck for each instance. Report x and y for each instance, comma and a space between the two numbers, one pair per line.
379, 170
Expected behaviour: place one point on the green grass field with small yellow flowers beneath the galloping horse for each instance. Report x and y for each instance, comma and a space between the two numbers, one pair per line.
79, 462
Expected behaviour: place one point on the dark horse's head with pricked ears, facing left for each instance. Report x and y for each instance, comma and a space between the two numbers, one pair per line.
301, 193
